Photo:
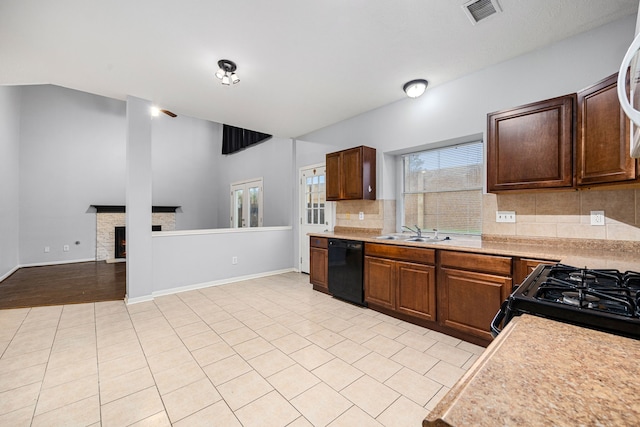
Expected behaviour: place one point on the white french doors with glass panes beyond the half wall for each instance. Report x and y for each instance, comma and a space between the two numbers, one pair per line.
246, 204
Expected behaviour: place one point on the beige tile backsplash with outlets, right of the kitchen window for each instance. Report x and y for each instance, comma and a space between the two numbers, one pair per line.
565, 214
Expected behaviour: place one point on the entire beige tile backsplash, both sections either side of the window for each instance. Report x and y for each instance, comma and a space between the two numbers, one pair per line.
548, 215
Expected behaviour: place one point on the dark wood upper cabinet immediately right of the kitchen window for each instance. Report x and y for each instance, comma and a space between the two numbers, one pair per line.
530, 147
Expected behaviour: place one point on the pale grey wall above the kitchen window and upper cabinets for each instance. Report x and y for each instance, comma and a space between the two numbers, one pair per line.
459, 108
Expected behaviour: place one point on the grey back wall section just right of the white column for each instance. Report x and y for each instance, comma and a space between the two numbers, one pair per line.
185, 157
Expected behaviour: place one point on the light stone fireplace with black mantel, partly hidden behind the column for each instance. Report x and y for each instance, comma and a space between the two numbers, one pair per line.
111, 217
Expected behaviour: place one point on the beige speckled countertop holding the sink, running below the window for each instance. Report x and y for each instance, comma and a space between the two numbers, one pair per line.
537, 249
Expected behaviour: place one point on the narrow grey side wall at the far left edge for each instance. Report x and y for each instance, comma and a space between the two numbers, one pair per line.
9, 178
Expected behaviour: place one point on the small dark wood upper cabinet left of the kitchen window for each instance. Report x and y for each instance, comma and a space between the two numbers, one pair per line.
351, 174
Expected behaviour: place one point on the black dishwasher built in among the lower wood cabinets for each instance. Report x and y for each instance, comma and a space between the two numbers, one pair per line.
346, 261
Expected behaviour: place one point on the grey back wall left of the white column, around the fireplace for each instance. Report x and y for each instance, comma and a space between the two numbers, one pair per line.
72, 155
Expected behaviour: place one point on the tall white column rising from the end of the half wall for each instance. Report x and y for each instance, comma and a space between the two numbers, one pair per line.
138, 200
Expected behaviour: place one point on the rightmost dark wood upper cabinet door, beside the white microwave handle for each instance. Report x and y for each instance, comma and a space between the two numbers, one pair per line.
603, 136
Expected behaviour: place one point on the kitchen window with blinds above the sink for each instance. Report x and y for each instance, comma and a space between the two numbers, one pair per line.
442, 189
